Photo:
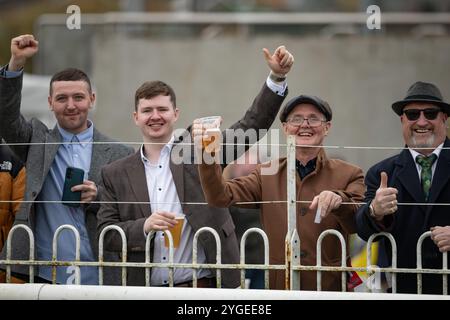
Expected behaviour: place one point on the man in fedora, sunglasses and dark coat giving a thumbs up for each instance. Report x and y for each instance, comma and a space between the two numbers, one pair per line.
402, 190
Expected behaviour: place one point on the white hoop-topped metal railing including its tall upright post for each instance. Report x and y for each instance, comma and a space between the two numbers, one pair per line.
292, 266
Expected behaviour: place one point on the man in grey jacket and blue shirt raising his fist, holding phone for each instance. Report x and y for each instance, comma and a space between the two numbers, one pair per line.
71, 143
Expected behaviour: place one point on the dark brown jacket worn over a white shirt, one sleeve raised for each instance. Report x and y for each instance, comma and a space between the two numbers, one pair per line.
124, 181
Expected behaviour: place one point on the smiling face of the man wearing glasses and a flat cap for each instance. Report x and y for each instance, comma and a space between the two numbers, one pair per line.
305, 134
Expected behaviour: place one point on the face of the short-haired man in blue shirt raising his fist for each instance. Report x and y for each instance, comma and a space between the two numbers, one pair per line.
70, 101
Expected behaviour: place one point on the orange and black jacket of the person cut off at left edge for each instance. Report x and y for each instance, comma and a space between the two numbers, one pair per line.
12, 188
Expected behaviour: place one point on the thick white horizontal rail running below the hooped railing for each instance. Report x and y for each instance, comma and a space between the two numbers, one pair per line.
59, 292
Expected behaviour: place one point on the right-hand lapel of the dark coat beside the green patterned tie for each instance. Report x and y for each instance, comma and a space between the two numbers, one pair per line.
441, 174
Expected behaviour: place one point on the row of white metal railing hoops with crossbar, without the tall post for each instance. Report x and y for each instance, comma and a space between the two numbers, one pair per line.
296, 267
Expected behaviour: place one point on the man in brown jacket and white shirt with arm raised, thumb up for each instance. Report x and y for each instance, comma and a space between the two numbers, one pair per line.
165, 188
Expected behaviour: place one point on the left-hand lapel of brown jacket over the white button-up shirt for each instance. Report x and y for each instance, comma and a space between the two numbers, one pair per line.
137, 181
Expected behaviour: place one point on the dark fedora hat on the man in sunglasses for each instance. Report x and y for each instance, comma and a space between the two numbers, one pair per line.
422, 92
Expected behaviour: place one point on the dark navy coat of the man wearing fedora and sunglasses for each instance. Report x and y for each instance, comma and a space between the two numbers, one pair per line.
409, 222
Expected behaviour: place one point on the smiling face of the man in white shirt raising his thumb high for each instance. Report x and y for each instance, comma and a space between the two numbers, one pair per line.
156, 118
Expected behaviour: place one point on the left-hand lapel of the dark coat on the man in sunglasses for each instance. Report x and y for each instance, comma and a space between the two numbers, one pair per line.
408, 176
